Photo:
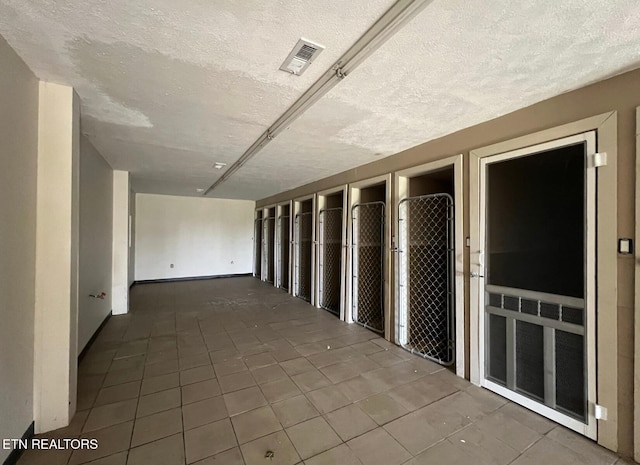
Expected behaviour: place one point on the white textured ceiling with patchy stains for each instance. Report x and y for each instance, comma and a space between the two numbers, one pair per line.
168, 88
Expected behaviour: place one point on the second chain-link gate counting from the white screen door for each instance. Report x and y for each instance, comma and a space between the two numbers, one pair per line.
368, 265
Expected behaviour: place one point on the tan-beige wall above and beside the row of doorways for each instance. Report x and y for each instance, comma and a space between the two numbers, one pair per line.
619, 94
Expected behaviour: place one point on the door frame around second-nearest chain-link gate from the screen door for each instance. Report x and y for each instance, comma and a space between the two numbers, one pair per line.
354, 199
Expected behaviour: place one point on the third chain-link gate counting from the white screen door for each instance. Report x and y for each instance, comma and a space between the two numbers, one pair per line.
330, 224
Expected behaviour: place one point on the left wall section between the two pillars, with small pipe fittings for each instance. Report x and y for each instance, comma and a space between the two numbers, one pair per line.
96, 233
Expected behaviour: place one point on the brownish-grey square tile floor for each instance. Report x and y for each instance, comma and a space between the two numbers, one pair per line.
235, 372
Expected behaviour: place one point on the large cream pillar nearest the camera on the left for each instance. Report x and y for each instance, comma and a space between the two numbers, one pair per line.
57, 251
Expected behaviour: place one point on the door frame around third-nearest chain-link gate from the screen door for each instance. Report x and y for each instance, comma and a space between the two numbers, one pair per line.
321, 200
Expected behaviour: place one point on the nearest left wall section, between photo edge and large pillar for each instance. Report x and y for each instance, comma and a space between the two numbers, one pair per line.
18, 157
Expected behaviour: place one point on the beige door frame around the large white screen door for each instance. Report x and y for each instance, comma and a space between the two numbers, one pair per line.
606, 336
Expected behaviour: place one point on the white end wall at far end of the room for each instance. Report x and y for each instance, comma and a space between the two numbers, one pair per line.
199, 236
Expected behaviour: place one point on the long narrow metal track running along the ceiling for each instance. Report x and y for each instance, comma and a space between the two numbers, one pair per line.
389, 23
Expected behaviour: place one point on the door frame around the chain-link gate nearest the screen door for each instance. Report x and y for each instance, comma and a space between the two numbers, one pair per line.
402, 192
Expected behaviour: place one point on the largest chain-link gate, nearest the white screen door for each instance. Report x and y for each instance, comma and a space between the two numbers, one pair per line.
426, 323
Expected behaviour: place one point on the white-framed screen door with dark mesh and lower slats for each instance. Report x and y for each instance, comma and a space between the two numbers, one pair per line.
537, 215
